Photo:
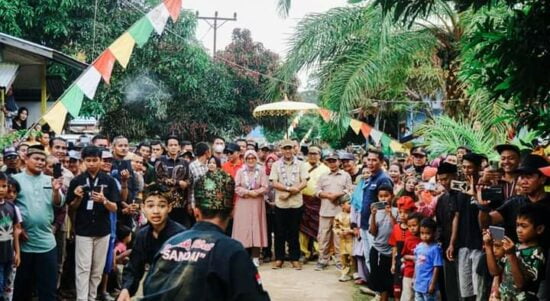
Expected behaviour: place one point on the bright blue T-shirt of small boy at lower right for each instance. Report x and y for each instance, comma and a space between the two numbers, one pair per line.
426, 258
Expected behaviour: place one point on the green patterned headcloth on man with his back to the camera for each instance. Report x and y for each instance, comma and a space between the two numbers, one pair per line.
215, 191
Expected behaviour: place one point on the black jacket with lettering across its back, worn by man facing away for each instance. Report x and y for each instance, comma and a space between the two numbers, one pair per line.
203, 264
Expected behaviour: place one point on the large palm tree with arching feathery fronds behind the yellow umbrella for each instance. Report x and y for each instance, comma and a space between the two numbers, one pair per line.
363, 56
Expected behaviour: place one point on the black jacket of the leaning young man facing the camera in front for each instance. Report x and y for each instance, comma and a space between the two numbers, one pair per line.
144, 250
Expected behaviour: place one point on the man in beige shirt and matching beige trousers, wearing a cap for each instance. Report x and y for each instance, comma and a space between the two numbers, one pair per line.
331, 188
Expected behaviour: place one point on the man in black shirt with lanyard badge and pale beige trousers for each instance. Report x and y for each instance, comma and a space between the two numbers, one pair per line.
93, 195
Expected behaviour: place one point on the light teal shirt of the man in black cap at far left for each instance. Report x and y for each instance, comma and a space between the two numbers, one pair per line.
36, 205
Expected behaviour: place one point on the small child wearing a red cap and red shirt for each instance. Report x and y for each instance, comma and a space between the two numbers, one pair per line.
405, 206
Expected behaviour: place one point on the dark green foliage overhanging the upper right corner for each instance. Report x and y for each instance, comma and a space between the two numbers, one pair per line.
507, 50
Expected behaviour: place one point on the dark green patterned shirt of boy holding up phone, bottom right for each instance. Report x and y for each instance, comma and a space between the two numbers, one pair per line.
531, 260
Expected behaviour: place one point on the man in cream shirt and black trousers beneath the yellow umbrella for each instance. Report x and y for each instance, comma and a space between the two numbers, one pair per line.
289, 178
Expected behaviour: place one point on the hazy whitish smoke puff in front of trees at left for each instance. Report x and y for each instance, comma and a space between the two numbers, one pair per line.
143, 91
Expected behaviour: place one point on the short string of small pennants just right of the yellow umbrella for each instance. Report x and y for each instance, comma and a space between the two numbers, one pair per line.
387, 144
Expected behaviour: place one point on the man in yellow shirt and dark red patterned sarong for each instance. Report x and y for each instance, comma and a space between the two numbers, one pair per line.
309, 227
